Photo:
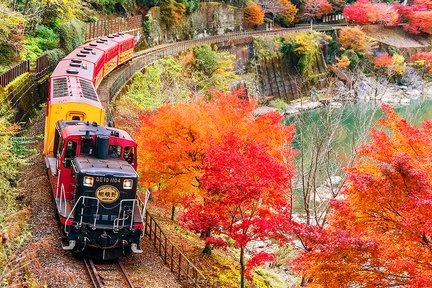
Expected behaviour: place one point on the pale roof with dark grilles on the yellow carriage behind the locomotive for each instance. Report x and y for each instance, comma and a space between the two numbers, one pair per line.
73, 89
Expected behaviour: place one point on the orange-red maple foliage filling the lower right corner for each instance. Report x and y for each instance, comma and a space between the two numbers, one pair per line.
380, 233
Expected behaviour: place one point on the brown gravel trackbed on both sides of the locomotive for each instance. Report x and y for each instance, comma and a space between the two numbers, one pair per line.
61, 268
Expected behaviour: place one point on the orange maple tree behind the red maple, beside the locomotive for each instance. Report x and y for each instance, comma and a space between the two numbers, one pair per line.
174, 139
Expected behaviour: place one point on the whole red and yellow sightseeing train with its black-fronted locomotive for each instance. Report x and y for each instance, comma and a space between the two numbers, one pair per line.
92, 167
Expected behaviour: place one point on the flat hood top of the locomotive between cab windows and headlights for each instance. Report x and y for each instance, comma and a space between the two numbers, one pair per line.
102, 167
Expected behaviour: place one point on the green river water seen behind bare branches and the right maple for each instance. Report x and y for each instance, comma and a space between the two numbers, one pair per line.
327, 138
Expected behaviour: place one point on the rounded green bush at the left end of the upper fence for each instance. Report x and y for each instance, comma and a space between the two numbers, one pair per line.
71, 34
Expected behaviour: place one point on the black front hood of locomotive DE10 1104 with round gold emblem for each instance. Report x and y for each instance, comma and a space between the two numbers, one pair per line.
106, 219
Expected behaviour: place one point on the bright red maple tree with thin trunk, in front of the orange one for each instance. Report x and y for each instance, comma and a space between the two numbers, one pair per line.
246, 197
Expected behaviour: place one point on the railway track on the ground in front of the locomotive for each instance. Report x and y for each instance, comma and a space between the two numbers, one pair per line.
107, 274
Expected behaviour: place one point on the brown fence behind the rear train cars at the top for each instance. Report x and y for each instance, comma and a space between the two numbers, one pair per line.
106, 27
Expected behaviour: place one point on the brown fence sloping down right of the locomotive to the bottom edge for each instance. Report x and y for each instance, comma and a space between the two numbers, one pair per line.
179, 264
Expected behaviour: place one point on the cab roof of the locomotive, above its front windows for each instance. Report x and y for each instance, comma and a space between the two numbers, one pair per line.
80, 128
